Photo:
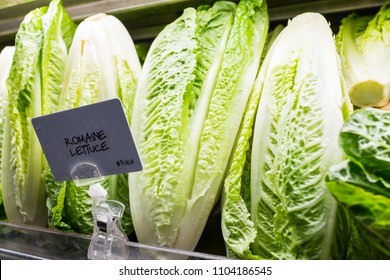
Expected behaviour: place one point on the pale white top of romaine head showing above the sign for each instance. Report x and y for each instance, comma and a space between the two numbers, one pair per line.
102, 64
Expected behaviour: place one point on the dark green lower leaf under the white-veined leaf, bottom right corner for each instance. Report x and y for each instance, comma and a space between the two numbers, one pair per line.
368, 233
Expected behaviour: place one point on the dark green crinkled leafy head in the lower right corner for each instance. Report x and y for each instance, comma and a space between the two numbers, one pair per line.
361, 185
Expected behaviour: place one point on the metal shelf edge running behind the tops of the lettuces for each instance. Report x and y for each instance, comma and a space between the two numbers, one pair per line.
145, 18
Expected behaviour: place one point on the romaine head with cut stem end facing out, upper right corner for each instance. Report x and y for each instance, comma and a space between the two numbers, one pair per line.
363, 43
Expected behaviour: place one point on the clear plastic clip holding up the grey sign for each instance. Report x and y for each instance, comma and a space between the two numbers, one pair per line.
108, 238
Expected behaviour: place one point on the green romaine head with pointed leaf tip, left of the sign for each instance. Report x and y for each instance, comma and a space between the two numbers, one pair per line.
34, 85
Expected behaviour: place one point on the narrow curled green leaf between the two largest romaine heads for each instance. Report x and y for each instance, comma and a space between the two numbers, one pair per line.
237, 227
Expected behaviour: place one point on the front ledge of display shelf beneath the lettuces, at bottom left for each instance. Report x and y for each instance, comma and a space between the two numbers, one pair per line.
37, 243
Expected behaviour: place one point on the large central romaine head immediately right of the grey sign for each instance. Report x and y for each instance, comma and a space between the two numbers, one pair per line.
192, 93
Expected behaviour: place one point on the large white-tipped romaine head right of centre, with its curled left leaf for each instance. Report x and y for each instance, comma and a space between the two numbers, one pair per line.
275, 201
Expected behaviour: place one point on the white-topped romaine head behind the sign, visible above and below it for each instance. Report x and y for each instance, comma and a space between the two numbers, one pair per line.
102, 64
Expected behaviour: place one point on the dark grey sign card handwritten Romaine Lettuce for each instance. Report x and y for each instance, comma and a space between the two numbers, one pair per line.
96, 134
